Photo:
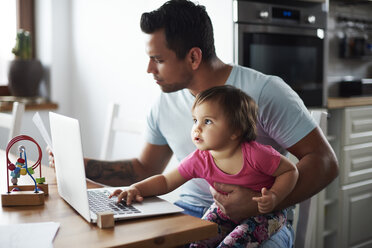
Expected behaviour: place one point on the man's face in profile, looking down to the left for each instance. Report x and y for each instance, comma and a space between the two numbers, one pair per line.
171, 74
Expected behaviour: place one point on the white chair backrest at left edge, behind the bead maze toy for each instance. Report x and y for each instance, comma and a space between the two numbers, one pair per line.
12, 121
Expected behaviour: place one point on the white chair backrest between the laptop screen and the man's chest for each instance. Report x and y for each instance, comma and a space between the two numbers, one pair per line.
115, 124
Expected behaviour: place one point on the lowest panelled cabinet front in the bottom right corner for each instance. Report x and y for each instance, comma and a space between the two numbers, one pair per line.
356, 216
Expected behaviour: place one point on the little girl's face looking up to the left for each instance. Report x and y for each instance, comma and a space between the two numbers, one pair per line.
211, 130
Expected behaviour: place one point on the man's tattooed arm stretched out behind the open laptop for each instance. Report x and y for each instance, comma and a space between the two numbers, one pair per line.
153, 160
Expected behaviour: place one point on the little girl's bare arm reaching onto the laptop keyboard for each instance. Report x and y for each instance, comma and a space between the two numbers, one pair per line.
155, 185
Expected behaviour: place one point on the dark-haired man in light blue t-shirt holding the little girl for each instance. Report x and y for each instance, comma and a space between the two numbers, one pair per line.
183, 62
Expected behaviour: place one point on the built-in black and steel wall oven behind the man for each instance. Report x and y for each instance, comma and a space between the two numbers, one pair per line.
286, 40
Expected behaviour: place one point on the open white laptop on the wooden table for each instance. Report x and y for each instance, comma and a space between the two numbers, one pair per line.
71, 180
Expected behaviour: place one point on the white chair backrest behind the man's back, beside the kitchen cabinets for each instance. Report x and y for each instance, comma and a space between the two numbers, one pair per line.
306, 226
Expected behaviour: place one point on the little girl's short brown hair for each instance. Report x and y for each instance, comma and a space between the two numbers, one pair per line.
240, 109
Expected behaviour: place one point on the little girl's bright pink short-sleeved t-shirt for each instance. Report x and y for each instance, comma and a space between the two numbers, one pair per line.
260, 162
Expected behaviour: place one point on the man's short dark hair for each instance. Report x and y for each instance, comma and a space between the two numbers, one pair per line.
186, 25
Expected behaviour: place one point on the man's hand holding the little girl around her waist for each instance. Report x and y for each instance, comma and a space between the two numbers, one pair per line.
237, 203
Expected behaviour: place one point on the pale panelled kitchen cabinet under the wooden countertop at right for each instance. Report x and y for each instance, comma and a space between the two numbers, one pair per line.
348, 200
